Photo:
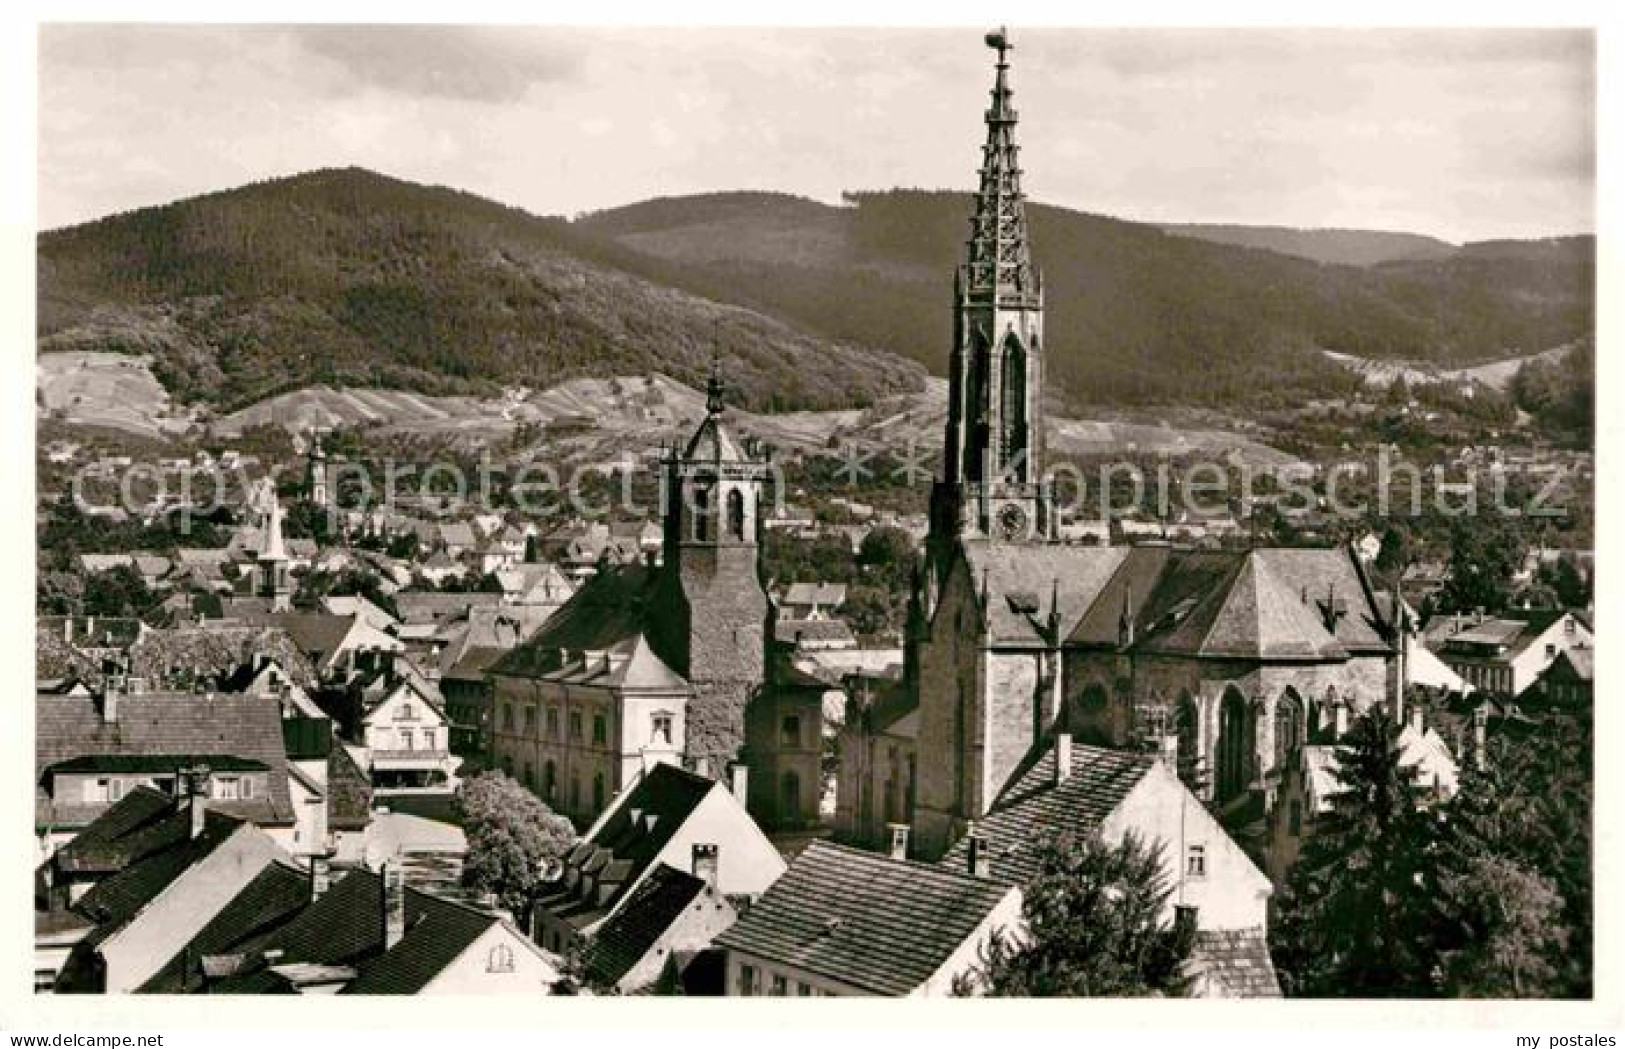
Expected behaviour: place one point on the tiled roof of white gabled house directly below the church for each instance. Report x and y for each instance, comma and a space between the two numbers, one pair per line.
1034, 806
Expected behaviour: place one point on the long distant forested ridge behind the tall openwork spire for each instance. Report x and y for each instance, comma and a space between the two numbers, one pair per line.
1135, 314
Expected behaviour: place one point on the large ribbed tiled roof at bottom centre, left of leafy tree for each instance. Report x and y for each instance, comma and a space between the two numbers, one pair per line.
869, 922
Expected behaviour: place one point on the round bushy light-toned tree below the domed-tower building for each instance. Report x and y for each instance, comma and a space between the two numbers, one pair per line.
514, 840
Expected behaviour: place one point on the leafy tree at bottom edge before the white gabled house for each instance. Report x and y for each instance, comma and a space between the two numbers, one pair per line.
1093, 928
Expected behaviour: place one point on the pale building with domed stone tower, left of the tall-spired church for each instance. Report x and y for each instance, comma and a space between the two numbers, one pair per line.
670, 662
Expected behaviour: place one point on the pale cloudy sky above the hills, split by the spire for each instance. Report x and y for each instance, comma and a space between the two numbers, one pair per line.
1465, 136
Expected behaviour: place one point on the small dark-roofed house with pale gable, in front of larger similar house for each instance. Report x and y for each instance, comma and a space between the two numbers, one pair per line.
651, 939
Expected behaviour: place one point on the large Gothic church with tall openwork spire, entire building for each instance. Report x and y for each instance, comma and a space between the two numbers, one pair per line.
1224, 663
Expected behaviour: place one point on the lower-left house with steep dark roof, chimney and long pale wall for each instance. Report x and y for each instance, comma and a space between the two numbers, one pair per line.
150, 910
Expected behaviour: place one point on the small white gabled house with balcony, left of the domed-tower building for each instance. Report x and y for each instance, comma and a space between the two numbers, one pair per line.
409, 743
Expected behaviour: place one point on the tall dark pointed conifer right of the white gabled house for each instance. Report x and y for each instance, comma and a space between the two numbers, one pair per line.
1356, 917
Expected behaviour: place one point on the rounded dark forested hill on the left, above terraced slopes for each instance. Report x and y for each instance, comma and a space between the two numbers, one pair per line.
352, 278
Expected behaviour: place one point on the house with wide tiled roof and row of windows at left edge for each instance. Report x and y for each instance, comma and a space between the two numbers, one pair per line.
90, 753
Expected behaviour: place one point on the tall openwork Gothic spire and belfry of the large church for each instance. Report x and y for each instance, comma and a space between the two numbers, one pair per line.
992, 485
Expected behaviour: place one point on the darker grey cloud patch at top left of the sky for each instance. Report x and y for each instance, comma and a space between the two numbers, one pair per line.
477, 64
